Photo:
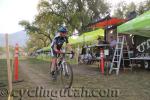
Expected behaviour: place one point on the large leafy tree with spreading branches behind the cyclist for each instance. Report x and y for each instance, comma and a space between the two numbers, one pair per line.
74, 13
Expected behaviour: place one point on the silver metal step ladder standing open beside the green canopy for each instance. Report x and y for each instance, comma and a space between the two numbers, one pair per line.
119, 53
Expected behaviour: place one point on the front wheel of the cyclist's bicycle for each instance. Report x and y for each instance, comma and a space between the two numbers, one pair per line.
66, 75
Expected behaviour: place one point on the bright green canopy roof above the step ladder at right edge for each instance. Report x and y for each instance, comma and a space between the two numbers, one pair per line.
138, 26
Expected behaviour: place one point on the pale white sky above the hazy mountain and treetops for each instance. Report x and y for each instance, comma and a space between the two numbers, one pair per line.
12, 11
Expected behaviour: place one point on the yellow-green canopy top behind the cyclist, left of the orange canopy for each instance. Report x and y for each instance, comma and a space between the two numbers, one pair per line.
87, 37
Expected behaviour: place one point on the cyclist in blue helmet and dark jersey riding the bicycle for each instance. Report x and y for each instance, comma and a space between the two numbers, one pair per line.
56, 46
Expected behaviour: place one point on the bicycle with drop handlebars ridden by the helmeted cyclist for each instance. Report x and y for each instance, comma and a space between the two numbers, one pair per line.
64, 69
